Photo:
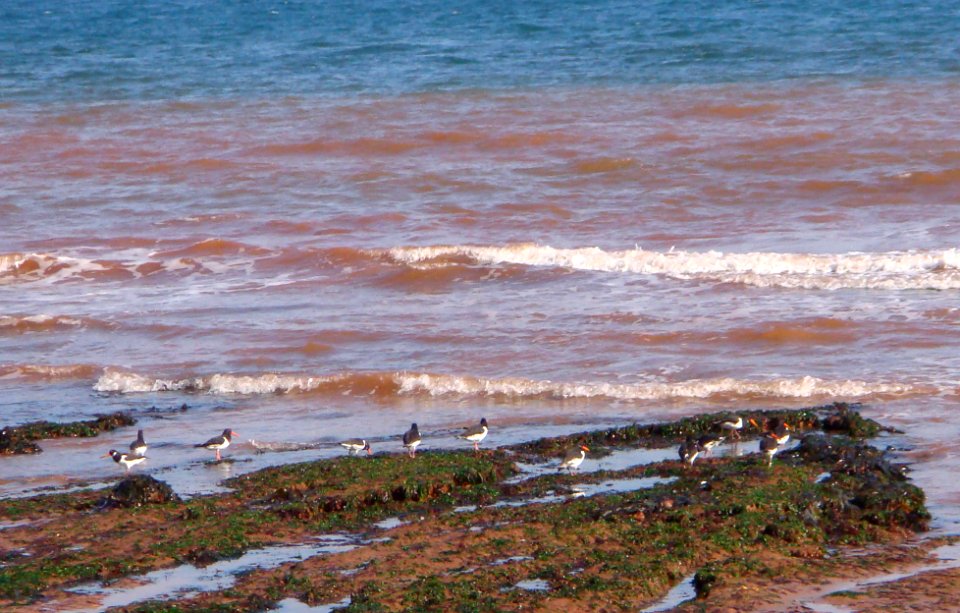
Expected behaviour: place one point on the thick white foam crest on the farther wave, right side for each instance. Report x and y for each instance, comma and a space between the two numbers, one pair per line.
935, 269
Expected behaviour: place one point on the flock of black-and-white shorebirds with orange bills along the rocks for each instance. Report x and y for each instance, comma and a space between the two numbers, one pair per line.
771, 442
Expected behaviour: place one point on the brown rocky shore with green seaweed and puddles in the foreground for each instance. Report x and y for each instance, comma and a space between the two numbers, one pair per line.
498, 528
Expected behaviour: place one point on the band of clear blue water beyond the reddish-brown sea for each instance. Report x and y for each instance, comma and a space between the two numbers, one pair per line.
115, 50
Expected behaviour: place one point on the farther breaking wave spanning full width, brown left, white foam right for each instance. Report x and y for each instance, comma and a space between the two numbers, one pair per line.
432, 267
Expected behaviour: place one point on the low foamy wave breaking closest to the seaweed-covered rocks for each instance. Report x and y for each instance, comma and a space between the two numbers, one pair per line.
412, 384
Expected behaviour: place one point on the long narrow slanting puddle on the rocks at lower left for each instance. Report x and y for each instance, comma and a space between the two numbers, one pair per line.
188, 580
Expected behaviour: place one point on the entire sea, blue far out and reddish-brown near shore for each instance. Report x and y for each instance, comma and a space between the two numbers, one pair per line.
310, 221
